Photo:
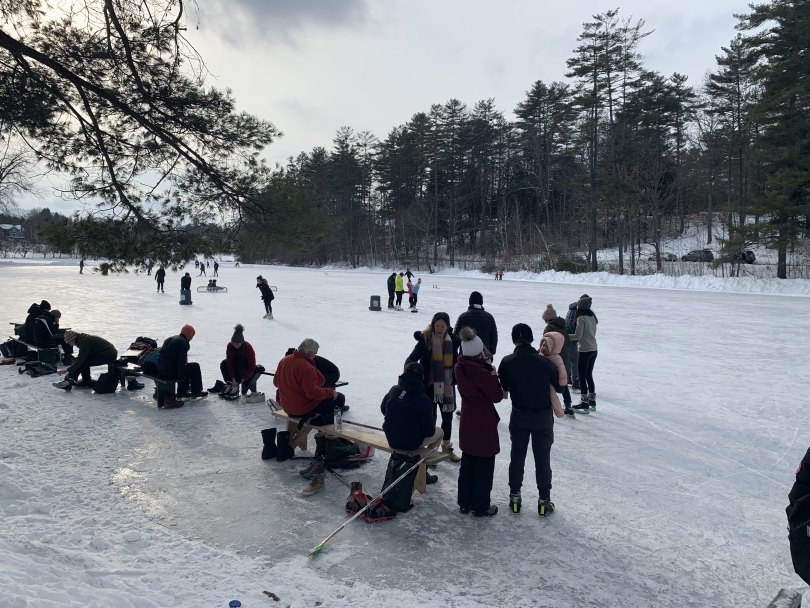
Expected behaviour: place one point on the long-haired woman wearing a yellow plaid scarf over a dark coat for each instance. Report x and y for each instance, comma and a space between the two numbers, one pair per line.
437, 350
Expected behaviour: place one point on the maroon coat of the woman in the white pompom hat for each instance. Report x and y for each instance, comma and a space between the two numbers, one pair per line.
480, 391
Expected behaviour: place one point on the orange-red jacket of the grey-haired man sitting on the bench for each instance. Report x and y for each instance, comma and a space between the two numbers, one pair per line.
300, 384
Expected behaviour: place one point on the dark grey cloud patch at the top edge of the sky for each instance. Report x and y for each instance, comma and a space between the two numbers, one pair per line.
278, 19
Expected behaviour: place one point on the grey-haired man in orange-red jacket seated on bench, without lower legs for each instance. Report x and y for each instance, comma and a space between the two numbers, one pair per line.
301, 386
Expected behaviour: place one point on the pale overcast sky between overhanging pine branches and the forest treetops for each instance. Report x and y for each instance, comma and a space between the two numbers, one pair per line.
312, 66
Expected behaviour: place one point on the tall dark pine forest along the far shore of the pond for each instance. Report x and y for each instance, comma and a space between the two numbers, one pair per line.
615, 156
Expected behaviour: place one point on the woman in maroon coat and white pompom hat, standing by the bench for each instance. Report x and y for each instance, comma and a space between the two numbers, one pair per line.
478, 430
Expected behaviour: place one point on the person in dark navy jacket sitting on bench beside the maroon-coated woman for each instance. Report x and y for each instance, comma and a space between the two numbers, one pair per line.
409, 425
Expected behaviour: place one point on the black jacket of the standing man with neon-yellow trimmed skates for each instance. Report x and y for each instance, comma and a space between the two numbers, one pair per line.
527, 376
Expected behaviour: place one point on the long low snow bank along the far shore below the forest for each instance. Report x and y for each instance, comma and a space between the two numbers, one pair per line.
786, 287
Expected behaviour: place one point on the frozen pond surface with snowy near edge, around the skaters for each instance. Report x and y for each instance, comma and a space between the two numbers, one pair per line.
672, 494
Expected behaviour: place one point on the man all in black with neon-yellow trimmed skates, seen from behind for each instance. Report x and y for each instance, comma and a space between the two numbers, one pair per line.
526, 377
